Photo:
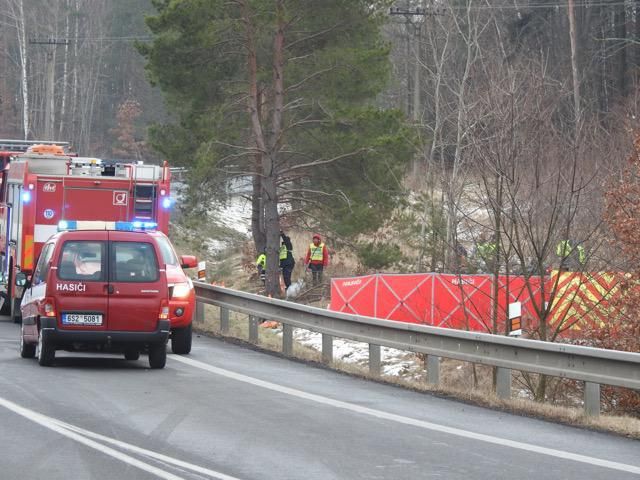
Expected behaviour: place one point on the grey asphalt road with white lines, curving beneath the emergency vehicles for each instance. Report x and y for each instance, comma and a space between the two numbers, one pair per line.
233, 413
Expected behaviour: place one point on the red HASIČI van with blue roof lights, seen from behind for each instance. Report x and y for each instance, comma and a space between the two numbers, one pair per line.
98, 290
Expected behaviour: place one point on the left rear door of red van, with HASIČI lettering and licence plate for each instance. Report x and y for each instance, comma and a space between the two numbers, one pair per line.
80, 283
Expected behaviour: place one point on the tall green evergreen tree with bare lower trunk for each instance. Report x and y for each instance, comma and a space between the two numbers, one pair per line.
283, 91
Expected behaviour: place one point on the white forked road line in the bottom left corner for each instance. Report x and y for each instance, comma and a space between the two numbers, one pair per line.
80, 435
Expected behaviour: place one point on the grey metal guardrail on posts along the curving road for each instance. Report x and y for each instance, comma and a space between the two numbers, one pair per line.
594, 366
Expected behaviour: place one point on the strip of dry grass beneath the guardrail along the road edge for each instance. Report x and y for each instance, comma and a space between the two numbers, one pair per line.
458, 380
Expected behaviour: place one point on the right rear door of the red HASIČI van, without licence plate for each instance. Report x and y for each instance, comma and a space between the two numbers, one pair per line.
137, 282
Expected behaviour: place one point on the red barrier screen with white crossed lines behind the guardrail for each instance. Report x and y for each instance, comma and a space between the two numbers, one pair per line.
454, 301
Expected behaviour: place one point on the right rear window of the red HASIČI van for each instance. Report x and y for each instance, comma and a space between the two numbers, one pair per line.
134, 262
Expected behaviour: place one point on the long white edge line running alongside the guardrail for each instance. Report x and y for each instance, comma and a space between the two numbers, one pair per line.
410, 421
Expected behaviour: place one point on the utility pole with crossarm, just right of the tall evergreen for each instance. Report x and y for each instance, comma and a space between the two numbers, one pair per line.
413, 17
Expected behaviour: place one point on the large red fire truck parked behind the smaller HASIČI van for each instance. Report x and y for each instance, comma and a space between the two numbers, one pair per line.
46, 185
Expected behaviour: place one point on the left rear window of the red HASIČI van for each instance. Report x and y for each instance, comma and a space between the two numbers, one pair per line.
82, 261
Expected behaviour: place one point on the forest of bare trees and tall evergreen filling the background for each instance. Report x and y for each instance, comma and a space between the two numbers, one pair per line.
403, 130
